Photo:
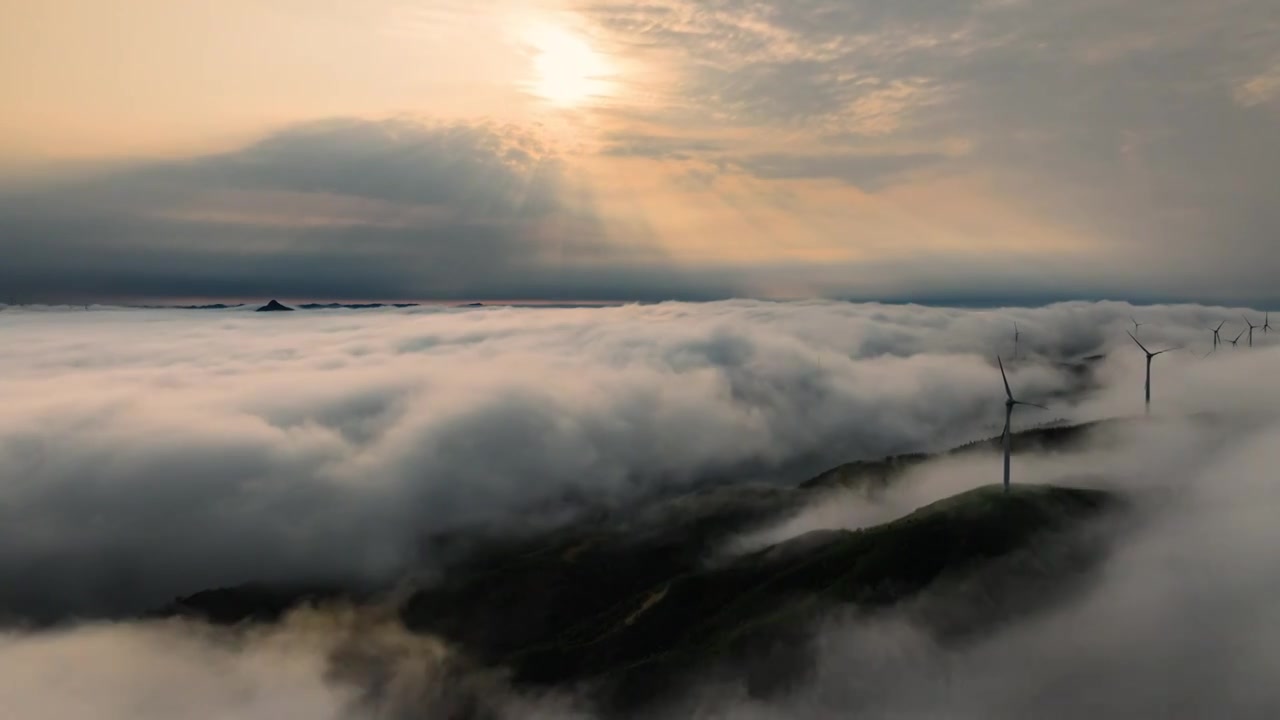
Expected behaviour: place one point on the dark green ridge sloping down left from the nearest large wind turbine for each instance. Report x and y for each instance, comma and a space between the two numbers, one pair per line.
682, 621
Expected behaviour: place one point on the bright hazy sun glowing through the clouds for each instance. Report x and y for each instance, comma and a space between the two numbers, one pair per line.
568, 71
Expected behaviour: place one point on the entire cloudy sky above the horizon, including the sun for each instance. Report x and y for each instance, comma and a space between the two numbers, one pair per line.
982, 152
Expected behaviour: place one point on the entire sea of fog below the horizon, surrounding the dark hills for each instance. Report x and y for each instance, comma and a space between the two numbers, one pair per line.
147, 454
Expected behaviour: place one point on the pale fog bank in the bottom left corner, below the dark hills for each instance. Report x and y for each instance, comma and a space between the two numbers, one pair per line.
330, 664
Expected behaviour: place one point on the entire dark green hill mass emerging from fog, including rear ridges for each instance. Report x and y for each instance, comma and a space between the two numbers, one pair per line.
630, 607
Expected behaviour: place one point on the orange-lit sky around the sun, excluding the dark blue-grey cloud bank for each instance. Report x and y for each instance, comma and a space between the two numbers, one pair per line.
720, 135
